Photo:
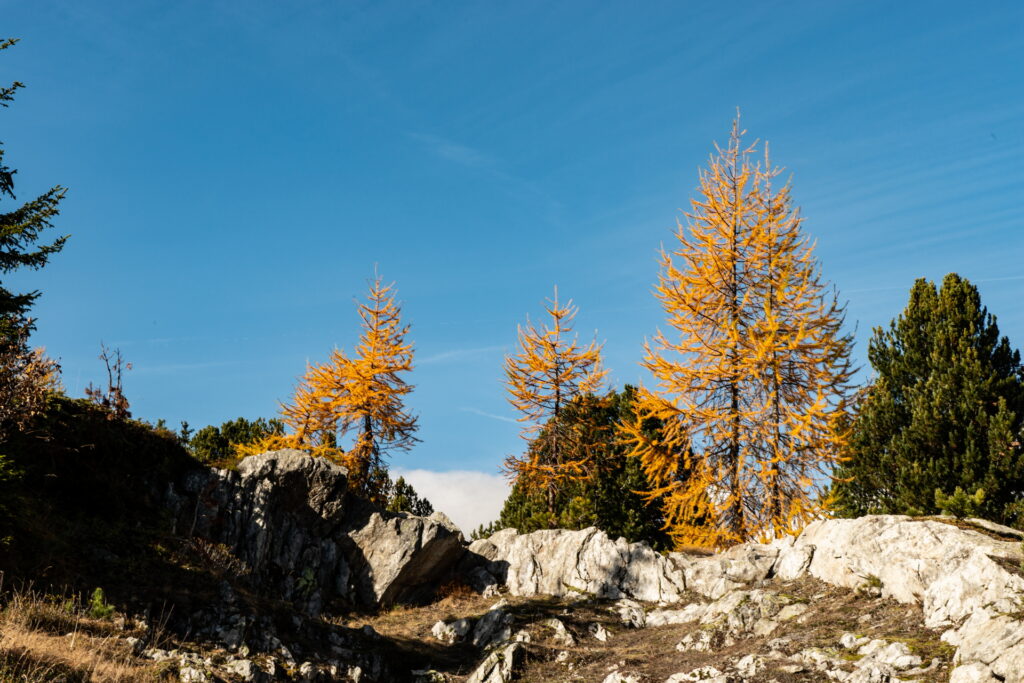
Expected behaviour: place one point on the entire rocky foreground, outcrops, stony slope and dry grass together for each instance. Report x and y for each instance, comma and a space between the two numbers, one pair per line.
313, 586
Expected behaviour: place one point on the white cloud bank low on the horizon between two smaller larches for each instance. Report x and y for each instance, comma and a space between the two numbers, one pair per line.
468, 497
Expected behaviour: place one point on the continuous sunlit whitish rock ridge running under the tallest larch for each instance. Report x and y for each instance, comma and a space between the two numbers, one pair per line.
966, 582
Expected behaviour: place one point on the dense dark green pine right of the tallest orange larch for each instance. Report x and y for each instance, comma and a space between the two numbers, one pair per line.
944, 413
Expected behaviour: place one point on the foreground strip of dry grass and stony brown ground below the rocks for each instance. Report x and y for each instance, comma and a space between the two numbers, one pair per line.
802, 630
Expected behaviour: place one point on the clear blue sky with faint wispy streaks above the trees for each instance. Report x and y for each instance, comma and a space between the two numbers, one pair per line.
237, 169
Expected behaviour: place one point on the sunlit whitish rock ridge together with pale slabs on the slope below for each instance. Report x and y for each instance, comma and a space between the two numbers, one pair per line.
968, 582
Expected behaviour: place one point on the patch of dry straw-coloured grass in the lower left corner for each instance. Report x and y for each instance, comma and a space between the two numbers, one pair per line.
51, 639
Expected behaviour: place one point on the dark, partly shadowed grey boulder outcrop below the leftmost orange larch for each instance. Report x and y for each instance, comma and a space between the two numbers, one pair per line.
301, 537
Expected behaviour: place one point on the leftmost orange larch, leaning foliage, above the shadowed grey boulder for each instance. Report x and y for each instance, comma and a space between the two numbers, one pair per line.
363, 397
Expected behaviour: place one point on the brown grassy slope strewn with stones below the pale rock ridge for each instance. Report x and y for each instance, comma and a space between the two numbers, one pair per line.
801, 630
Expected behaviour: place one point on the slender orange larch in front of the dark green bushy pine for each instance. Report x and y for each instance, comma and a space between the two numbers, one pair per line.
549, 371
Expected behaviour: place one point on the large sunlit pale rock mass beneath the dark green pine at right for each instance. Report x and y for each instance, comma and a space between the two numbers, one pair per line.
967, 582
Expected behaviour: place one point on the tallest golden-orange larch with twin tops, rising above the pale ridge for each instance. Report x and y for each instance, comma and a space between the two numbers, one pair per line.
754, 381
